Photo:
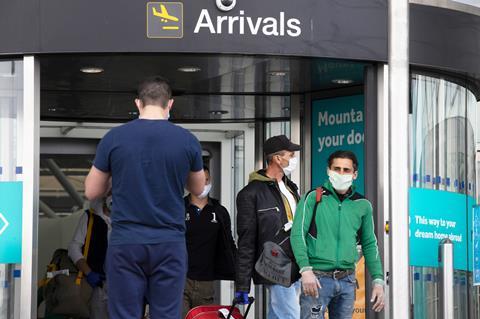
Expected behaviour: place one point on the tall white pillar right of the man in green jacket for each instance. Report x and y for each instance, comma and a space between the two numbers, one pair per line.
398, 59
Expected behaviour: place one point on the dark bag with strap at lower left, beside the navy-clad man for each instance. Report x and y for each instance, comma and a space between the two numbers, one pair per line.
64, 289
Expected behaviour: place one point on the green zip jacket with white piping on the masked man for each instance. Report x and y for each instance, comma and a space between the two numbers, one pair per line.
331, 243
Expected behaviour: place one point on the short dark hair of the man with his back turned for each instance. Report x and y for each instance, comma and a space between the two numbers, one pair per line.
155, 90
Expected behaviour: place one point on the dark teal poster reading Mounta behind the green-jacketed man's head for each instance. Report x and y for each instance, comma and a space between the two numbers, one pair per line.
337, 124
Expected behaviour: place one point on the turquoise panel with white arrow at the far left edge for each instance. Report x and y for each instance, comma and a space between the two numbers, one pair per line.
10, 222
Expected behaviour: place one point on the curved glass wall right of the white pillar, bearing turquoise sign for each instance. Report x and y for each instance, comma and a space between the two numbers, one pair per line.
442, 149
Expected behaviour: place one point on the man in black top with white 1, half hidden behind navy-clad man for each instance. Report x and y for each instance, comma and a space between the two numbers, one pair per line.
210, 246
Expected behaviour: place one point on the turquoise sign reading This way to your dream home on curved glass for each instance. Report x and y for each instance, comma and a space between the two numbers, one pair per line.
435, 215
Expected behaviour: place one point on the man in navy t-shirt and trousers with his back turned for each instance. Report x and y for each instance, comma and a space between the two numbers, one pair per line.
150, 161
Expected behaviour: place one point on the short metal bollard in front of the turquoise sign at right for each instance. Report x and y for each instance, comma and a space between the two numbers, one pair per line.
445, 258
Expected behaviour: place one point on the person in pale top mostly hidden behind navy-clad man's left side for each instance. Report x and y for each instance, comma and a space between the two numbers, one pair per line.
93, 266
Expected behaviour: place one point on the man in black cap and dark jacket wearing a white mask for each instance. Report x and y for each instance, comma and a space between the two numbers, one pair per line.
265, 206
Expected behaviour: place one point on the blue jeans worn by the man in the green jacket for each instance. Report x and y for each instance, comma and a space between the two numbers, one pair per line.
338, 295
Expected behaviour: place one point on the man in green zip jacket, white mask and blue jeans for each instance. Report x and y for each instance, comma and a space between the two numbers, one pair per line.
326, 248
